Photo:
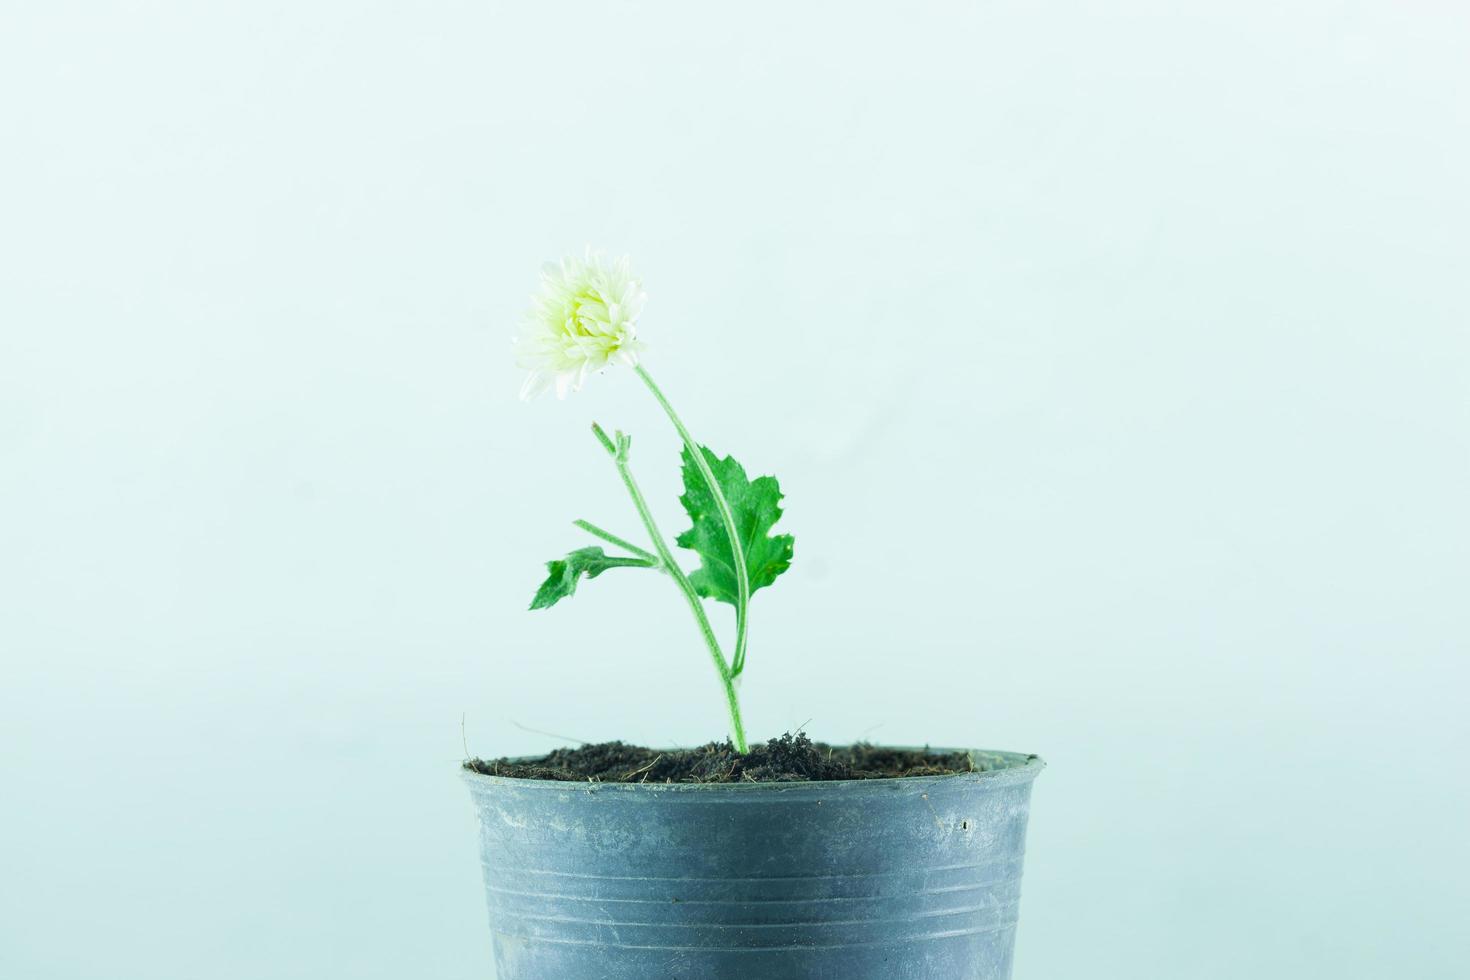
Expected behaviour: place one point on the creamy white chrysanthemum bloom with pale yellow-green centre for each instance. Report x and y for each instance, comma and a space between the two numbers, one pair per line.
583, 321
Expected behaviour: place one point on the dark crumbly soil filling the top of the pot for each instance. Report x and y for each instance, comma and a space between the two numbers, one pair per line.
784, 760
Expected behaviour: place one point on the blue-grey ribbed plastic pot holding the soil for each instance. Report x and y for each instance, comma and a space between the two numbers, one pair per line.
887, 879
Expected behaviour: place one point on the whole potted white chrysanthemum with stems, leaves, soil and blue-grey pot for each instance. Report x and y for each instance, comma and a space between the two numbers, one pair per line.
778, 862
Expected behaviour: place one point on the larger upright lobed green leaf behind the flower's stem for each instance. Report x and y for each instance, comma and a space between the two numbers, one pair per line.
756, 506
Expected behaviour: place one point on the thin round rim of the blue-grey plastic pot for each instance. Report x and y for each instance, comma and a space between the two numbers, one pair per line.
1021, 768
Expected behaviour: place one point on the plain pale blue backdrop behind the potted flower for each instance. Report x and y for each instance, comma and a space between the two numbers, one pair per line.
1114, 358
